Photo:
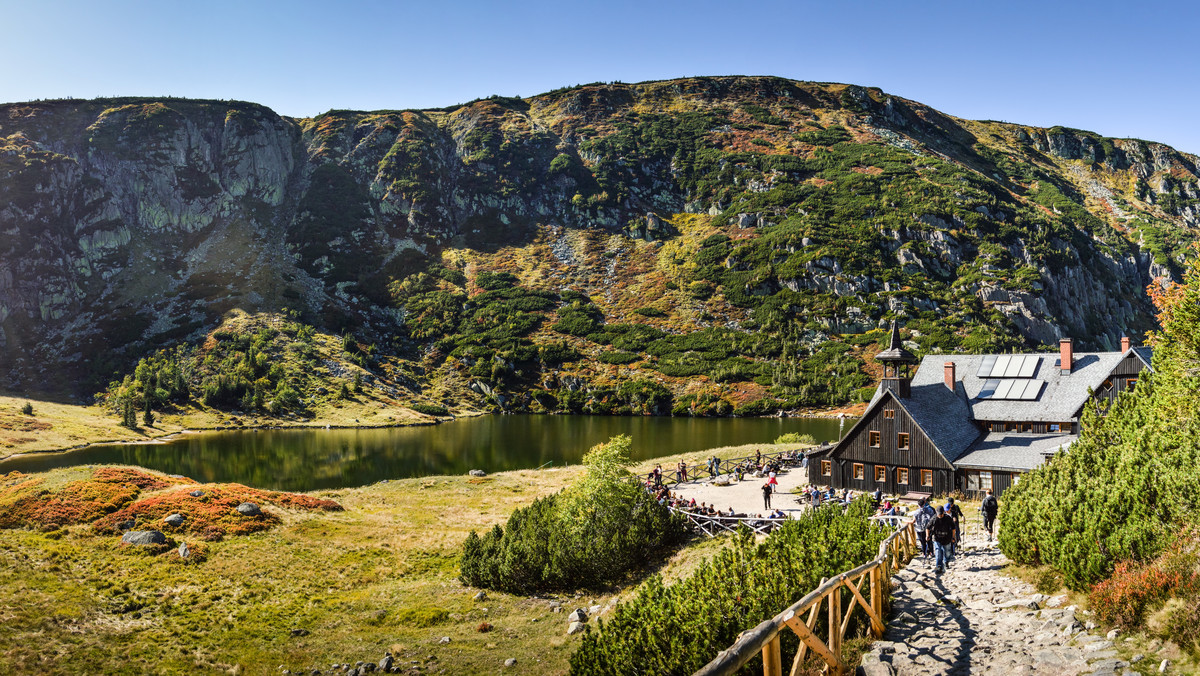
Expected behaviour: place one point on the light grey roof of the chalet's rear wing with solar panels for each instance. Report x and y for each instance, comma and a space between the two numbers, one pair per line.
1059, 400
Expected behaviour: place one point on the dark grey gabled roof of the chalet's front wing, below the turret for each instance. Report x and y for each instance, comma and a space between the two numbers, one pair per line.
941, 415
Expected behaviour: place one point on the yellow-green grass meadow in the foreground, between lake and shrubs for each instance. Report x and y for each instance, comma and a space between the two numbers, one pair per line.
382, 576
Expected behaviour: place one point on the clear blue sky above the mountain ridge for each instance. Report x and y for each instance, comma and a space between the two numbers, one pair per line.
1118, 69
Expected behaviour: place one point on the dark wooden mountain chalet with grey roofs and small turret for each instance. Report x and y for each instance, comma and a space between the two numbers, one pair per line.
971, 422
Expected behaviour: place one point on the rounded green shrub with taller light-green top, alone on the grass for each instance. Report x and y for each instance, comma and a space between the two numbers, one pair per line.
591, 535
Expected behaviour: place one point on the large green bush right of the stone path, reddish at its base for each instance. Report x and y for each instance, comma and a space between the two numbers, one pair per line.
1105, 512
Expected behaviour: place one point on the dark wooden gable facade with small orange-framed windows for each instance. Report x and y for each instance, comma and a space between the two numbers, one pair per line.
873, 451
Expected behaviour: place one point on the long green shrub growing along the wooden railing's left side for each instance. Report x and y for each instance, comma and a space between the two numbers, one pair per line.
679, 629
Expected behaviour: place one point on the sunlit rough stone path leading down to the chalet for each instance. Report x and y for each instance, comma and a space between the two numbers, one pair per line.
975, 620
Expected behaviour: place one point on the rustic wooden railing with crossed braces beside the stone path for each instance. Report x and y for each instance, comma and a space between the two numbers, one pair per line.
765, 639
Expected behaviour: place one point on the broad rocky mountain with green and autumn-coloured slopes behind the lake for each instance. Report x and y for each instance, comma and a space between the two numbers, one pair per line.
704, 246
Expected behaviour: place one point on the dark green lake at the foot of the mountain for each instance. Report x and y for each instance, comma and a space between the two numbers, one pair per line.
303, 460
